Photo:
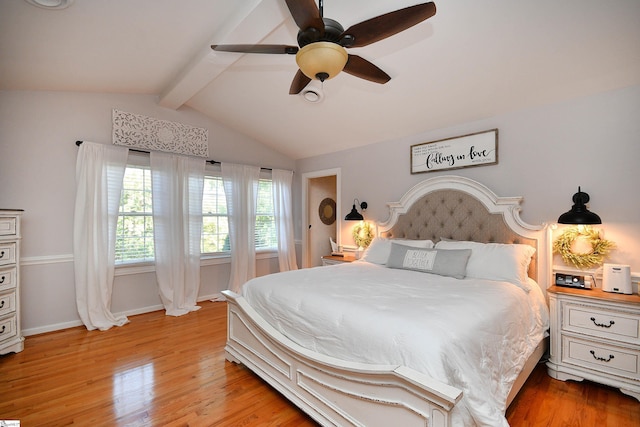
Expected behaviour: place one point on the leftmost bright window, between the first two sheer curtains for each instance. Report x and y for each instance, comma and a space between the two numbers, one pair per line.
134, 232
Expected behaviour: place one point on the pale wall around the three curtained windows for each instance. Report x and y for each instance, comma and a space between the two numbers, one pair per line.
38, 131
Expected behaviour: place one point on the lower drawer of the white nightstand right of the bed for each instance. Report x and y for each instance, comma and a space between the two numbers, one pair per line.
602, 357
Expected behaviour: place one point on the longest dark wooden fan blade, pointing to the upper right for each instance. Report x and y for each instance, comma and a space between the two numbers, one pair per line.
383, 26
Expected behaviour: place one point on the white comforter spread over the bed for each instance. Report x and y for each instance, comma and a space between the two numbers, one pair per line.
472, 334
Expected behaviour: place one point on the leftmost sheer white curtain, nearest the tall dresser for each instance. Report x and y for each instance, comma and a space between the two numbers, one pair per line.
99, 173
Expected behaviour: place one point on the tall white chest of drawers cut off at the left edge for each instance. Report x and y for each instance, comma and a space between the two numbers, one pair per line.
11, 339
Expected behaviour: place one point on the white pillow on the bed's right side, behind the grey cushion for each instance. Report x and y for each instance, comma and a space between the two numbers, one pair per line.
496, 261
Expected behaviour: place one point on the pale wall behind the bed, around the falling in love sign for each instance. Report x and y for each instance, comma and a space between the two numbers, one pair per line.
545, 153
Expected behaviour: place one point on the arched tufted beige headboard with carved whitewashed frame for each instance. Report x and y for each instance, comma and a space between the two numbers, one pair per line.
458, 208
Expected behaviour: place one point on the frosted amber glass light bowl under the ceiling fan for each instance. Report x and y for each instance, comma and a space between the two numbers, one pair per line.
322, 60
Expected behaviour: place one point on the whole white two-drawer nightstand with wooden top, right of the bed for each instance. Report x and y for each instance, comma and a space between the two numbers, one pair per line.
595, 335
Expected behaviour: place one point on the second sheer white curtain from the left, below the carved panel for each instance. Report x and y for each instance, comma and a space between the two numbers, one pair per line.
177, 183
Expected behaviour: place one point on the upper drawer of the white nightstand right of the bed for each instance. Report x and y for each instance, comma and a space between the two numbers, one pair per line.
601, 322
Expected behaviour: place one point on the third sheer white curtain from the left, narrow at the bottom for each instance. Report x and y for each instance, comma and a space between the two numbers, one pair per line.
241, 190
